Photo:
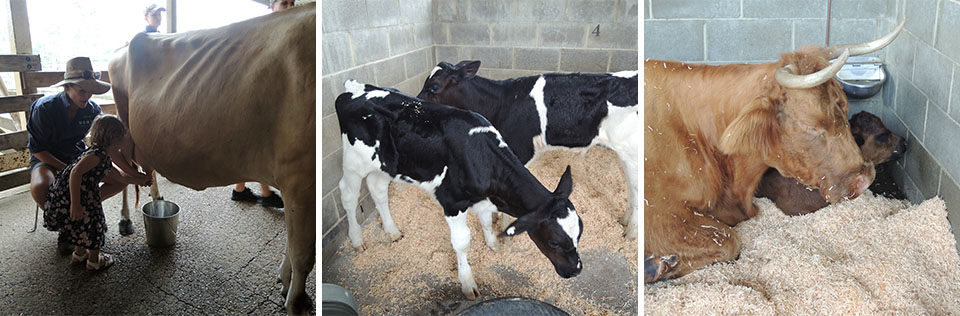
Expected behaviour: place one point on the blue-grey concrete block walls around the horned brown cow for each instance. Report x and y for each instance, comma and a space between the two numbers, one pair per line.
920, 99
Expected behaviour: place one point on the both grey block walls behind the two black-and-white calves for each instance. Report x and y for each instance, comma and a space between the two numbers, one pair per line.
396, 44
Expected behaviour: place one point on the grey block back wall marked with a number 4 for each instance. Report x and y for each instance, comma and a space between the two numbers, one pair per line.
520, 38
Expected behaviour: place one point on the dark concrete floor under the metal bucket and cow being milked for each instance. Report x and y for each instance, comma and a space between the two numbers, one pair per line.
225, 261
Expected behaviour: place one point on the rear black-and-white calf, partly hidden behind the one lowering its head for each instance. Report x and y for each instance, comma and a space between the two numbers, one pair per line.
552, 111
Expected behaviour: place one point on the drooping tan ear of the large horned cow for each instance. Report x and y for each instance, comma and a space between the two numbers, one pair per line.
755, 130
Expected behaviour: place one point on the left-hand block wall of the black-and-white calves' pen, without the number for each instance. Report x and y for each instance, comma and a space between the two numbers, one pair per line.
387, 43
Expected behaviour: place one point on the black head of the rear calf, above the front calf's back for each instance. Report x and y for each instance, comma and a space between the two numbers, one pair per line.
443, 83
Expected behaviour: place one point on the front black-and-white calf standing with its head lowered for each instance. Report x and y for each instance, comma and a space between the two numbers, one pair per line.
458, 157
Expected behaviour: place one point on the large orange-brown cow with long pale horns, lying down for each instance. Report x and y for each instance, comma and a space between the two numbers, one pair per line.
712, 131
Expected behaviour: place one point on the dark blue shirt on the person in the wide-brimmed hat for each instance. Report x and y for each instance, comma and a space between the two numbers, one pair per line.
49, 128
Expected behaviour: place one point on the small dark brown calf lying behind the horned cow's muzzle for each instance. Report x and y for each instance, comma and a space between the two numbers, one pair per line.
877, 145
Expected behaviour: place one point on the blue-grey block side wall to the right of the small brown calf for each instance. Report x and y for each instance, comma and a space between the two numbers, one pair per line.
922, 100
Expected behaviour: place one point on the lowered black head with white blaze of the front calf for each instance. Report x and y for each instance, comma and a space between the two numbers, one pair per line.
555, 229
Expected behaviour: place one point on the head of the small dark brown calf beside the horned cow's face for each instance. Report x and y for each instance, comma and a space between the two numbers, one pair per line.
876, 142
